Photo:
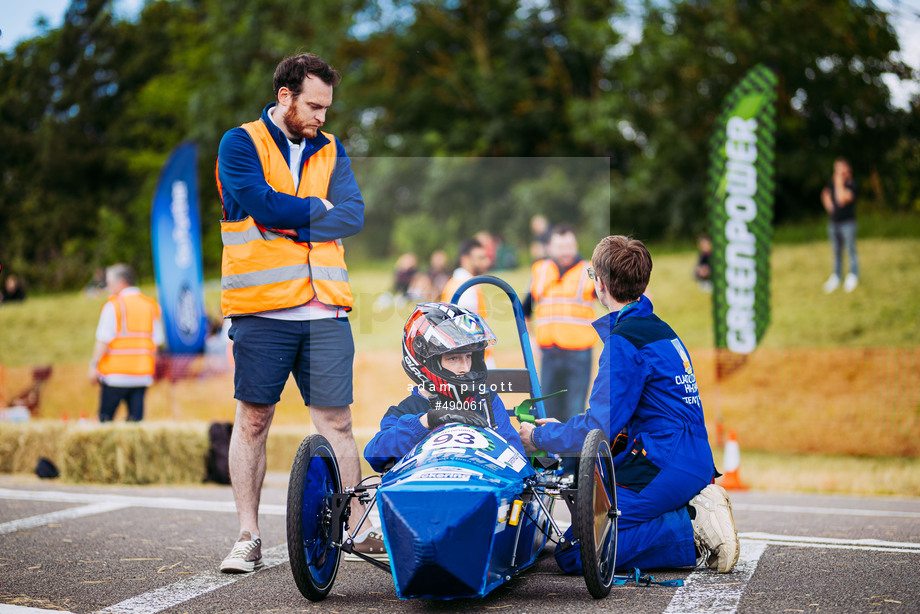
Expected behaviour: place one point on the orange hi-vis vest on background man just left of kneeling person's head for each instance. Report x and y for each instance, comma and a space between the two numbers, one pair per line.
564, 307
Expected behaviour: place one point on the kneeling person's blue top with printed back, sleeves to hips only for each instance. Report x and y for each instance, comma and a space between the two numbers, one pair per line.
646, 385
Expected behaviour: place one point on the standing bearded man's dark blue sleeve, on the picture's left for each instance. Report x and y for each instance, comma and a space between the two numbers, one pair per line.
245, 188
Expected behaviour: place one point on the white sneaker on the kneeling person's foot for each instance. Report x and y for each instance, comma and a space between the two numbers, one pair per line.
714, 528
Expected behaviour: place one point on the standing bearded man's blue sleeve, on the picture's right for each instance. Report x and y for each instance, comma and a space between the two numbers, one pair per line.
346, 218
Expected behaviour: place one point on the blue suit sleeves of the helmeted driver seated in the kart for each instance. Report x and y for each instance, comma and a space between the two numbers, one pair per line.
401, 430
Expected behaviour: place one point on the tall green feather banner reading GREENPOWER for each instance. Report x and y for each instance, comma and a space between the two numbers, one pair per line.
740, 194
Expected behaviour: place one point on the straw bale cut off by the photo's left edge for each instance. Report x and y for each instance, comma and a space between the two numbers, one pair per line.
23, 443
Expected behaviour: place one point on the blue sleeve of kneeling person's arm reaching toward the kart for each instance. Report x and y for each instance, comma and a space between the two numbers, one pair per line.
614, 398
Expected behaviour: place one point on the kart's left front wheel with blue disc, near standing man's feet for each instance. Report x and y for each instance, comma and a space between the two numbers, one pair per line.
314, 479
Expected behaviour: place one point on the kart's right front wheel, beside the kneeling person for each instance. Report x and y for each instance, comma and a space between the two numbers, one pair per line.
596, 514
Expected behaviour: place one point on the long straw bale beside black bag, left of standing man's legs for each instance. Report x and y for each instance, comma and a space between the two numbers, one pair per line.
135, 453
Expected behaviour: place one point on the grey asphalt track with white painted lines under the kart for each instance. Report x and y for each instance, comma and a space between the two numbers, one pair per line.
86, 549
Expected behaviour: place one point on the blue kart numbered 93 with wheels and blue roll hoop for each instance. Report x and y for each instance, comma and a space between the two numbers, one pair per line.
463, 512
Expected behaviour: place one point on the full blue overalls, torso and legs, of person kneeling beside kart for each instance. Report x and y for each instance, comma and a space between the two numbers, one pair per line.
645, 385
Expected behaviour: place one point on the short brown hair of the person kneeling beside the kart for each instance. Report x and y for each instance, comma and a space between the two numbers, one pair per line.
623, 265
